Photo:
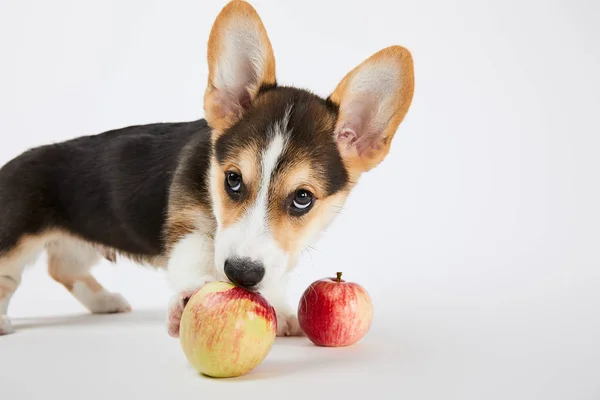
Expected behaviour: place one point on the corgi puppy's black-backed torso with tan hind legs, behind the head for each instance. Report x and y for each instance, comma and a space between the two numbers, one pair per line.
92, 197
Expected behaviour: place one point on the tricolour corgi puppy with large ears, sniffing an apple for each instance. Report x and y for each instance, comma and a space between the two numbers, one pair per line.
235, 196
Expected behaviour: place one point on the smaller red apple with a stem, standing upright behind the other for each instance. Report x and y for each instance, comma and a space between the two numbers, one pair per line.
335, 313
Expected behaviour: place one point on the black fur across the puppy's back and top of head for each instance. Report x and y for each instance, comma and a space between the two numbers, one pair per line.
112, 188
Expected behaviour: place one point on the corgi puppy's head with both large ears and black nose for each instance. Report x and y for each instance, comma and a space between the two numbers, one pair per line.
284, 159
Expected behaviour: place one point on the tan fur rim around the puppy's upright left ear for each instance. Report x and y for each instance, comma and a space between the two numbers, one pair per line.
234, 13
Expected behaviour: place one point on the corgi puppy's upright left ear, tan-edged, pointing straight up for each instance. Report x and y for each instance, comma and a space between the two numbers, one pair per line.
240, 61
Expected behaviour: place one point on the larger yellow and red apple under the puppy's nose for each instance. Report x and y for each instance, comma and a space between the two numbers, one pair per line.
226, 331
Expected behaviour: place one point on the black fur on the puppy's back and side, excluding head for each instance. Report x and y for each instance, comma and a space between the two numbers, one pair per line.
109, 188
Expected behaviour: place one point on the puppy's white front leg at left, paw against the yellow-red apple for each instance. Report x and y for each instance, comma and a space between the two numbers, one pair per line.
191, 266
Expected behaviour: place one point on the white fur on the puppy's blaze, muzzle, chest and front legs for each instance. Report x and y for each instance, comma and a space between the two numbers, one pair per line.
196, 260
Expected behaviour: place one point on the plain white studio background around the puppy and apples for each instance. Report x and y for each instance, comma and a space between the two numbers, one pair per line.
478, 237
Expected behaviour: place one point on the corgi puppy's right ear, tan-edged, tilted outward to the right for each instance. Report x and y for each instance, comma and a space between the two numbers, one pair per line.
373, 99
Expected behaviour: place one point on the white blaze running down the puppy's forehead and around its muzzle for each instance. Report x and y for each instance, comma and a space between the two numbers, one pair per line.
251, 236
